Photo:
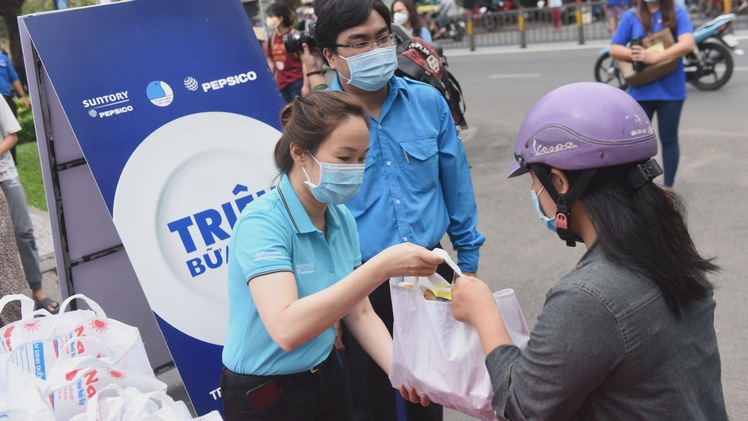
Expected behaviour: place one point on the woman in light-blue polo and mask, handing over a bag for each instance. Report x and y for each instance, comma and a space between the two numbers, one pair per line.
291, 273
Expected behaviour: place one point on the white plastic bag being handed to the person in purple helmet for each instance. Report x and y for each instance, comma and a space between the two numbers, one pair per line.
442, 357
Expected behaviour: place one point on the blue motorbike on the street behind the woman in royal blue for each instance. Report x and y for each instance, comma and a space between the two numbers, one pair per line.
708, 67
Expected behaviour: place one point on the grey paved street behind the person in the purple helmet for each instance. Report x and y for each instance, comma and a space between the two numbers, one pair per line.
501, 86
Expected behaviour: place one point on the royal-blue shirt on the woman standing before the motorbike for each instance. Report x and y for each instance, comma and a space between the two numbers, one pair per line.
671, 87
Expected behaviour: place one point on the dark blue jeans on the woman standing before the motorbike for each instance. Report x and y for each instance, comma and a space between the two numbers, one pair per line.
668, 119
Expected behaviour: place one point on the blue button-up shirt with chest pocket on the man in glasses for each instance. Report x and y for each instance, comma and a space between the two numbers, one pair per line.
417, 184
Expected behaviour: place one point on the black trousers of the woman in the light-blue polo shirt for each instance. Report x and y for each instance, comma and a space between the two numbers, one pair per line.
319, 396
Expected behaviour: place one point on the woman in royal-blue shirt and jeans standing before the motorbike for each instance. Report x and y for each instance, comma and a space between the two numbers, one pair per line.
664, 96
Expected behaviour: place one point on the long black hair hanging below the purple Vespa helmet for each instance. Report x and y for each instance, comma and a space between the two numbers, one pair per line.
645, 230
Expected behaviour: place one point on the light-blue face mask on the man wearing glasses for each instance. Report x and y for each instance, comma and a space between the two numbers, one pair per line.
371, 70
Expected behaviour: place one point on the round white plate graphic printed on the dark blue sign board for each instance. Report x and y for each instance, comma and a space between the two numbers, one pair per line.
190, 166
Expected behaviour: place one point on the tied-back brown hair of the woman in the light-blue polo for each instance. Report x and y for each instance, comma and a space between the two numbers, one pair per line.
307, 122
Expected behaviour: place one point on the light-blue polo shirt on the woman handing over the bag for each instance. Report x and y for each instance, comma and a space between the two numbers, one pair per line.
275, 234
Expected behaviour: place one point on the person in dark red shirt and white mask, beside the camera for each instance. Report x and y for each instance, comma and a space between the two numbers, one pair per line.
287, 68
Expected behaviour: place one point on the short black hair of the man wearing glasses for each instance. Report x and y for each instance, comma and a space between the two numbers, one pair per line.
335, 16
